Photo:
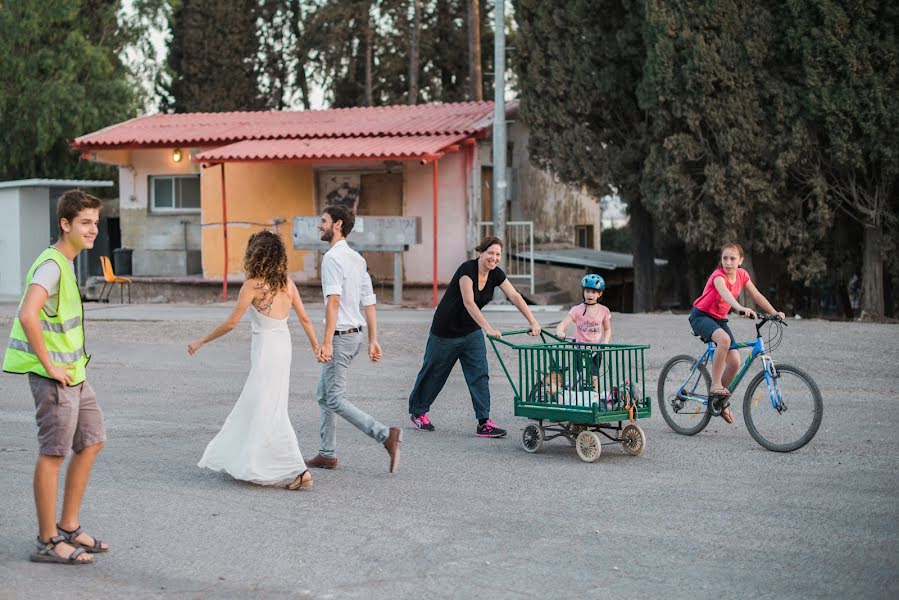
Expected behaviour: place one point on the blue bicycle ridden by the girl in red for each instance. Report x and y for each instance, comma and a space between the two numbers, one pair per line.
782, 407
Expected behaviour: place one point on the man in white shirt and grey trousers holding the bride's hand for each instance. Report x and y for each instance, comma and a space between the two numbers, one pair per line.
346, 286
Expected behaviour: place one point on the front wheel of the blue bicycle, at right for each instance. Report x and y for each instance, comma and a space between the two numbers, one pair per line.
793, 426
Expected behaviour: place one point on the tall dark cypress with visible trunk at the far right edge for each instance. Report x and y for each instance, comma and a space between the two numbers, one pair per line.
849, 57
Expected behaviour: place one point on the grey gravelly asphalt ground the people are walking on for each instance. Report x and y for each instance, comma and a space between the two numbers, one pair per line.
710, 516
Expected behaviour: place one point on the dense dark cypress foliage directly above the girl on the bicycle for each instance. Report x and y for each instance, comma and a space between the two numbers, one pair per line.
727, 131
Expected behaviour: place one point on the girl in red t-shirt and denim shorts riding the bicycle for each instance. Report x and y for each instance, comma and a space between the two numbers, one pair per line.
709, 318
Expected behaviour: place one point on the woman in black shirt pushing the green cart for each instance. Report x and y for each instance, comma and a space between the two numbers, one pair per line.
456, 336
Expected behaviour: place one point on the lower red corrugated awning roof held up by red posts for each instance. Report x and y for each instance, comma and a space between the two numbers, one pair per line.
383, 147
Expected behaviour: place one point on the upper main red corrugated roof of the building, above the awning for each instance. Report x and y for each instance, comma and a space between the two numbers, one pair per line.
200, 129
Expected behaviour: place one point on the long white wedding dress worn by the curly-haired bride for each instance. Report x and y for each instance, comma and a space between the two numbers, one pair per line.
257, 443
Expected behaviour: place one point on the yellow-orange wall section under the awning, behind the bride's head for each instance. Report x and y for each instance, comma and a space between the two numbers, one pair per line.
257, 193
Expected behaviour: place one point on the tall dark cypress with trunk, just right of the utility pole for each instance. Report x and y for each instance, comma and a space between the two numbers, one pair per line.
579, 66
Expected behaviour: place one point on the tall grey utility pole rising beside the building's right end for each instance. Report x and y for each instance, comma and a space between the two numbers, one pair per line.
498, 192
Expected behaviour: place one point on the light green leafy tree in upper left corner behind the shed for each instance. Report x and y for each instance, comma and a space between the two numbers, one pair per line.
60, 76
